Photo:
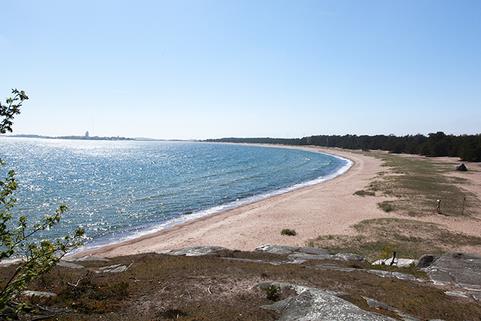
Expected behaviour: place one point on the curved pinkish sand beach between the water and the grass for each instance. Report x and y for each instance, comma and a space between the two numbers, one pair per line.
307, 209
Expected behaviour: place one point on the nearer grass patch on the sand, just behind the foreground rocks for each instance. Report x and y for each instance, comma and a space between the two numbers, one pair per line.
378, 238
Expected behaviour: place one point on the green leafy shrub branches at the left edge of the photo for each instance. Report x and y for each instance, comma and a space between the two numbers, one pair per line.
17, 233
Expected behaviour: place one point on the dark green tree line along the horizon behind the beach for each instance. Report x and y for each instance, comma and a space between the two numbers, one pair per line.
466, 147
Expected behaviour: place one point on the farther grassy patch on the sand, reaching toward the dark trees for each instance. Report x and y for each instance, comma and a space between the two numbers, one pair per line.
417, 183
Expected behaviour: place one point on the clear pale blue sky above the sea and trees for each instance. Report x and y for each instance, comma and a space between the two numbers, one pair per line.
205, 69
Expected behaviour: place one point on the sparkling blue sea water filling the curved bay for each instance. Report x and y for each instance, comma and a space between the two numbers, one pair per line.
122, 189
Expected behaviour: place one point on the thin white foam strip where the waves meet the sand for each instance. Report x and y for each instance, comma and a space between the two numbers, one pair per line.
222, 208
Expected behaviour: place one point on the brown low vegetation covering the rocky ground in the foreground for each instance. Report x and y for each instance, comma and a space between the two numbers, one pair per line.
164, 287
